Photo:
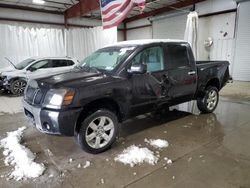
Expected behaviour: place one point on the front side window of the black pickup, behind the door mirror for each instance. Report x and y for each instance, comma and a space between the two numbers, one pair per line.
153, 57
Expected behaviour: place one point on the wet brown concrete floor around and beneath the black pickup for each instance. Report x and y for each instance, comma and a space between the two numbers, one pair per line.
208, 150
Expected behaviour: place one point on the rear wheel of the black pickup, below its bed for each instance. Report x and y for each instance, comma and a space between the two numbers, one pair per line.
210, 100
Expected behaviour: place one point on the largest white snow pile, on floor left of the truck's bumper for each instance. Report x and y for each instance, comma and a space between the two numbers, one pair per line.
20, 157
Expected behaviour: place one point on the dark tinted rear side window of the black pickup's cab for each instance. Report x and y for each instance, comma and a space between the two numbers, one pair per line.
177, 56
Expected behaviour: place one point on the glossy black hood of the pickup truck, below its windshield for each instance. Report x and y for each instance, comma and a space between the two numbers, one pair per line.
71, 79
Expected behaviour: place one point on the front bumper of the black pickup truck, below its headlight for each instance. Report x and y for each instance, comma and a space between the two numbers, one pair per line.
57, 122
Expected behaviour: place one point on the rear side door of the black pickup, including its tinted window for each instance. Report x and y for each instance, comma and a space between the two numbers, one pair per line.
182, 75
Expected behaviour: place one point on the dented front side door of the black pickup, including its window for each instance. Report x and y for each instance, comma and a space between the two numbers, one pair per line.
150, 88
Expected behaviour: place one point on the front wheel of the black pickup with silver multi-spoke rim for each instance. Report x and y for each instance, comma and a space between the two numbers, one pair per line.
98, 131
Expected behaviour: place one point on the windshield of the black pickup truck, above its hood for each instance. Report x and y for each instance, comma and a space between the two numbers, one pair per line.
106, 59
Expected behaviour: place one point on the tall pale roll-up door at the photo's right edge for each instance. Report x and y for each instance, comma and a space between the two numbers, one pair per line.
241, 69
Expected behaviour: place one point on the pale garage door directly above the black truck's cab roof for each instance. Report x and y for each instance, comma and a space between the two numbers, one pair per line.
170, 27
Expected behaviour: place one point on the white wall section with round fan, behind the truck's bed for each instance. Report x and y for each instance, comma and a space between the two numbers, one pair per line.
221, 29
